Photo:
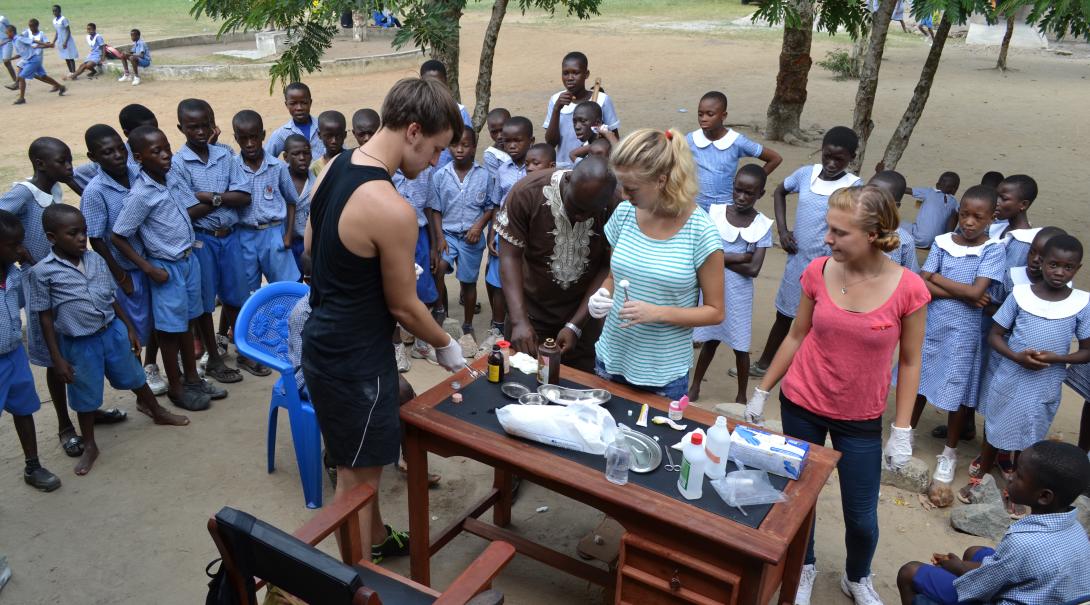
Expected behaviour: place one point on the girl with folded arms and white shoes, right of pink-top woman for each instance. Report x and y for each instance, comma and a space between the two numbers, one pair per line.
959, 271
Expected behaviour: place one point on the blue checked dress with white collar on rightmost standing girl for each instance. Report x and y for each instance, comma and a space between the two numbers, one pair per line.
1022, 403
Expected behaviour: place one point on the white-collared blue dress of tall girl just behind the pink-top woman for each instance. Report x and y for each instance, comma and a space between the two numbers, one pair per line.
810, 229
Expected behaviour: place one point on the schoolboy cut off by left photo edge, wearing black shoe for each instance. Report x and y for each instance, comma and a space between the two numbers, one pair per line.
18, 396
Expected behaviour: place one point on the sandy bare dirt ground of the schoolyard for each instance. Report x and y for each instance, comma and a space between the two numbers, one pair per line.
135, 527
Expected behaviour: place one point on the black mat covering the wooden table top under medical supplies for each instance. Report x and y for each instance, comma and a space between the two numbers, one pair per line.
481, 400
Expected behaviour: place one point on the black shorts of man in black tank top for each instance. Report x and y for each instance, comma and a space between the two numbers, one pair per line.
359, 418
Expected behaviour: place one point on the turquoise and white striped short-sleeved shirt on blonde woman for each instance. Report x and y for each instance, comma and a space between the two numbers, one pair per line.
662, 273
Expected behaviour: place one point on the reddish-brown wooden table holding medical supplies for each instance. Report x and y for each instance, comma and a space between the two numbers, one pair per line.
672, 552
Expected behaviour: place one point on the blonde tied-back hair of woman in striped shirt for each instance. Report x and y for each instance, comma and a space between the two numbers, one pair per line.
649, 154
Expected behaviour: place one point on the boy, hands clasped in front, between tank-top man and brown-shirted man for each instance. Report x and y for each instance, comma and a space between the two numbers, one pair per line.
463, 189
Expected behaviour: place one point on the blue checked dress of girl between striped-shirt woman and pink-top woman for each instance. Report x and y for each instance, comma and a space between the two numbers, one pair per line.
736, 329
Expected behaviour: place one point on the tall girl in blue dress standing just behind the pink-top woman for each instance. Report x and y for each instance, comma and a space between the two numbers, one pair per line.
815, 185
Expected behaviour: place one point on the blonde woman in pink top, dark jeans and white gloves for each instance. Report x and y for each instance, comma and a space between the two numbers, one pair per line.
857, 308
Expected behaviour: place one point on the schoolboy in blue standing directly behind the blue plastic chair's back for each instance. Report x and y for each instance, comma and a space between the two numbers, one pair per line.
268, 224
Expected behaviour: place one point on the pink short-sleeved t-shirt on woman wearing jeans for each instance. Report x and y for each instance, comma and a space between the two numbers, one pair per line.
842, 371
